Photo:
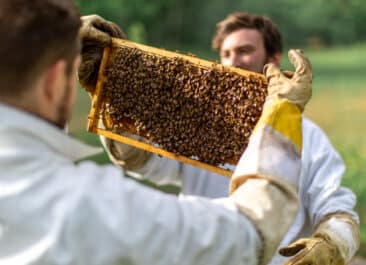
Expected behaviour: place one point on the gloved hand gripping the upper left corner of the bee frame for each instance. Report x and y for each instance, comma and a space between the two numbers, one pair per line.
95, 35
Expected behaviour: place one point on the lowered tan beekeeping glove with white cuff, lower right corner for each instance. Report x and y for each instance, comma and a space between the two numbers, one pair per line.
334, 242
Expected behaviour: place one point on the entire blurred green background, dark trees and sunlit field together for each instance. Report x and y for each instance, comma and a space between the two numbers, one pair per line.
331, 33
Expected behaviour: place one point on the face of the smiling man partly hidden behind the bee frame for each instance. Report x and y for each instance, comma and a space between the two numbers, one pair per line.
244, 48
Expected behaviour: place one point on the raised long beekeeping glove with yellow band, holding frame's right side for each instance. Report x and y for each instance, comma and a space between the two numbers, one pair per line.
264, 183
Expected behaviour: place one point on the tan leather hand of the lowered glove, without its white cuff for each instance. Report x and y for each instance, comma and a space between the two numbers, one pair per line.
317, 250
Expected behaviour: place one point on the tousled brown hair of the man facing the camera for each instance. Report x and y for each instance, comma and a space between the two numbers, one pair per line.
242, 20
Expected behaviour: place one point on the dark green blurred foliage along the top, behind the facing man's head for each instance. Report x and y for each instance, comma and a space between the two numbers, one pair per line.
177, 23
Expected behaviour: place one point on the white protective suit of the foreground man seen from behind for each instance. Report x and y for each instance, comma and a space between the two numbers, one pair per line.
55, 212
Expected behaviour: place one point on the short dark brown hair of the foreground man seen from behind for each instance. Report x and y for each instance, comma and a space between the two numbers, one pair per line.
34, 35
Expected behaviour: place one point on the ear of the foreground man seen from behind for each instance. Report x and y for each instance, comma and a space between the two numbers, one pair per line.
54, 81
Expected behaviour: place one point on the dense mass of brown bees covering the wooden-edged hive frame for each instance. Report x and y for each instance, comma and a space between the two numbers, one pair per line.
203, 113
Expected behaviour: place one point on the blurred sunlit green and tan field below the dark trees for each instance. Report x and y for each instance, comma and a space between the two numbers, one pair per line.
338, 106
